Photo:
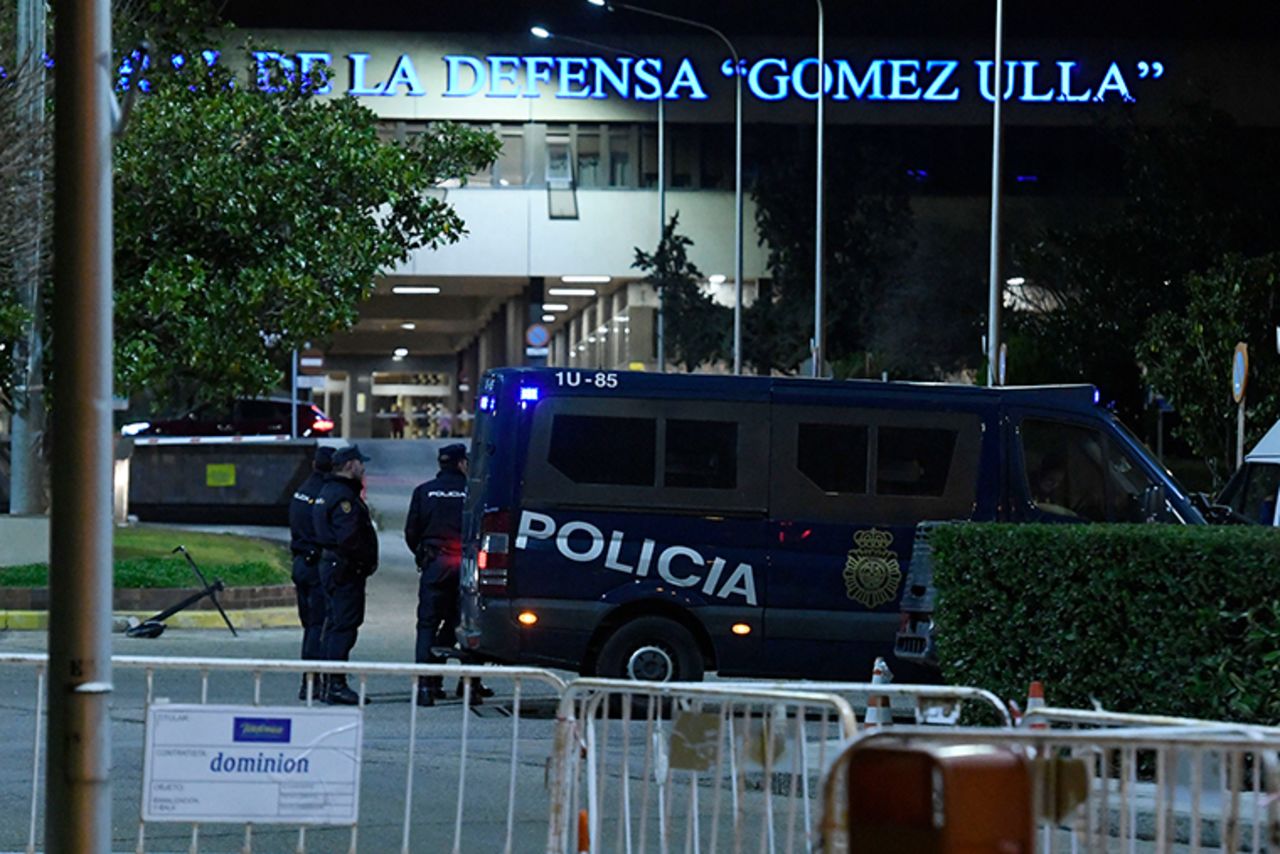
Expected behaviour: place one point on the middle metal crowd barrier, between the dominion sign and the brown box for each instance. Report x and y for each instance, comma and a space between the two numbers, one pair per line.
634, 761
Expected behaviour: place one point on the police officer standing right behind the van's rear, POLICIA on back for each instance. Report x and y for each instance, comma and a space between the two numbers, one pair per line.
433, 532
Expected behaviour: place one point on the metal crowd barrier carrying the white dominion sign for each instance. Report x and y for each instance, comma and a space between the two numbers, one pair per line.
482, 742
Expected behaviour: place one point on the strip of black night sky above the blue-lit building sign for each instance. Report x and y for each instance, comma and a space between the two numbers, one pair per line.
1256, 20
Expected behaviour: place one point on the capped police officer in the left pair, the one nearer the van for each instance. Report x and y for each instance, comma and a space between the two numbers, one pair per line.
349, 556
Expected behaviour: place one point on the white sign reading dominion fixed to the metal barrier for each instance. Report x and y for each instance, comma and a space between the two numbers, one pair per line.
246, 764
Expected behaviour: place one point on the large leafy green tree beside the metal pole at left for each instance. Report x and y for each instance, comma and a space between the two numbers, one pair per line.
252, 222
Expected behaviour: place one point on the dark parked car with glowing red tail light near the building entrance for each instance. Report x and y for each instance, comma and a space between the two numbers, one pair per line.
245, 417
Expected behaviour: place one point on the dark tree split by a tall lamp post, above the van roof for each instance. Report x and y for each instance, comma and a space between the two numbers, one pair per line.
868, 236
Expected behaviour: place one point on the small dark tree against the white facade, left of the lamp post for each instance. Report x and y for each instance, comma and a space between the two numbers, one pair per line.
696, 328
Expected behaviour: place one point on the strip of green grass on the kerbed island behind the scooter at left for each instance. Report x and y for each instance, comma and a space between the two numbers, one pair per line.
144, 559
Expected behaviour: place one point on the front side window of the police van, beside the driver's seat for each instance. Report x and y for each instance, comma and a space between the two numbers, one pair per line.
1064, 465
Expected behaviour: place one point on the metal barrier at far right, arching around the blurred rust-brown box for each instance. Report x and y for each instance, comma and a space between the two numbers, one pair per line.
1151, 789
